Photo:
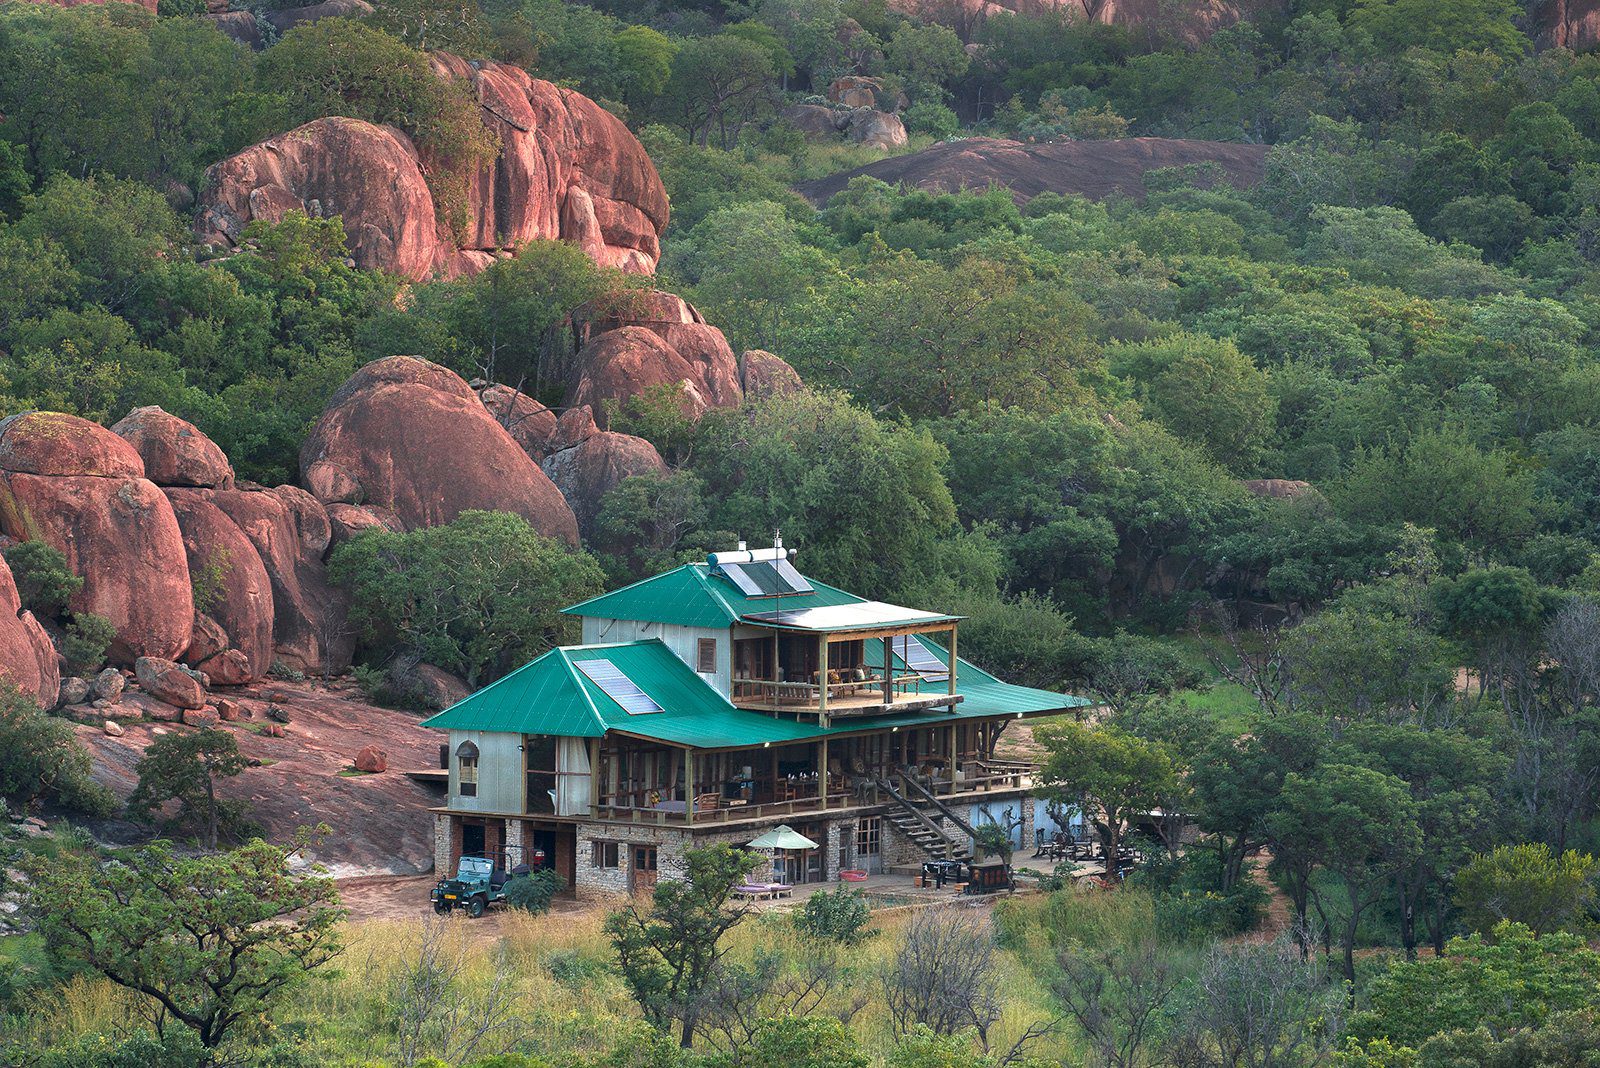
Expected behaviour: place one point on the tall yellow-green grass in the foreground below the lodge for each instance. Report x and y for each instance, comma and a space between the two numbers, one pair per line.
570, 1003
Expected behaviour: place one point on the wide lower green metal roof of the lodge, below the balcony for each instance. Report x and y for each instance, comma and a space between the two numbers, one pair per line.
553, 696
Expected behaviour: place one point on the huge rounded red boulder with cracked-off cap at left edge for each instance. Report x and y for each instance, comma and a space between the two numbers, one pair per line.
81, 488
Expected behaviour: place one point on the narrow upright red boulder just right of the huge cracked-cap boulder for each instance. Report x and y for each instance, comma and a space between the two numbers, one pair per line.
241, 604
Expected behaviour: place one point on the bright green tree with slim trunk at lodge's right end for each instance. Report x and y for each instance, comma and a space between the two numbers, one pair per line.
1111, 776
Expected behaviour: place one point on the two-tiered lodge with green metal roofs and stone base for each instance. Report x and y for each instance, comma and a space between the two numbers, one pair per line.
721, 699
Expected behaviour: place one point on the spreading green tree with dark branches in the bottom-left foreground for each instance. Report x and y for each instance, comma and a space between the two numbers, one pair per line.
214, 944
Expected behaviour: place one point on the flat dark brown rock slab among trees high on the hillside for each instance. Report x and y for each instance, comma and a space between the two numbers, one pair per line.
1094, 169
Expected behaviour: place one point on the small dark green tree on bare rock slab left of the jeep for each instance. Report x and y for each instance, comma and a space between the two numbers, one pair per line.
186, 770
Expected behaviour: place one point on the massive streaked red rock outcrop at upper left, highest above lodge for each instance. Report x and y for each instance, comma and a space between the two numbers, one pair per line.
567, 170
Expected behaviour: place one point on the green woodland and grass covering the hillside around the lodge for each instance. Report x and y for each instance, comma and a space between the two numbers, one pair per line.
1380, 695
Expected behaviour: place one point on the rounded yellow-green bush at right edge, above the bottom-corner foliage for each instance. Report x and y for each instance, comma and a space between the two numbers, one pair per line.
1532, 887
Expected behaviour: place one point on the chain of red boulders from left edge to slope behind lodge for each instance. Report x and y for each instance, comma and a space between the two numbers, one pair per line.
143, 508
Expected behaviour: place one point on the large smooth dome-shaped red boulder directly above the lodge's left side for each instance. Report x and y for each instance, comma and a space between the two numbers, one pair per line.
412, 437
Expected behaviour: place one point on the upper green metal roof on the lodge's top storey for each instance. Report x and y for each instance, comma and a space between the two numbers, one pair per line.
694, 597
